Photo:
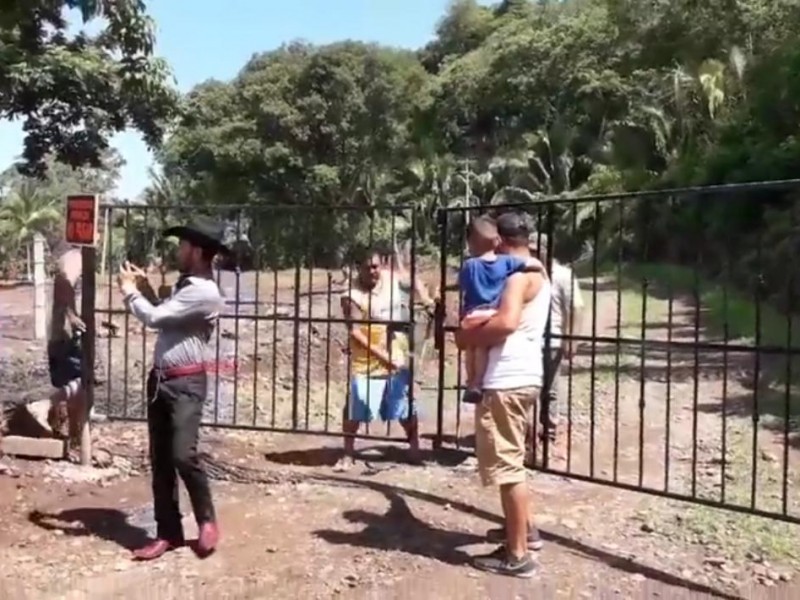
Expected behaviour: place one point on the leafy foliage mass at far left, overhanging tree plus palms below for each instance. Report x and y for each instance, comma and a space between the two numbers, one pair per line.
72, 92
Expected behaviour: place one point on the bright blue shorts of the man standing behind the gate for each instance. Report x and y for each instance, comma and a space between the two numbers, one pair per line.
385, 396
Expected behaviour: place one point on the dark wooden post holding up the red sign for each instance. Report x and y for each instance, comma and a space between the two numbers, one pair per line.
89, 275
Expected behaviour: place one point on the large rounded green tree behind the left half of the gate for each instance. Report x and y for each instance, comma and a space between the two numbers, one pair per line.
302, 126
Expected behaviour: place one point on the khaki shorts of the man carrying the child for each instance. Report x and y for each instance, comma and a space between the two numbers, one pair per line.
501, 422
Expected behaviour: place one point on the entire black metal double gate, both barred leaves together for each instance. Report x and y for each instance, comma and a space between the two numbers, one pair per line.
682, 381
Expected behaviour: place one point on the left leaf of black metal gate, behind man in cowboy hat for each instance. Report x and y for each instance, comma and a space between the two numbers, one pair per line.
281, 346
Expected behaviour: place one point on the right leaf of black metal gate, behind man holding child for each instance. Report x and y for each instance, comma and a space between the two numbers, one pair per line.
683, 380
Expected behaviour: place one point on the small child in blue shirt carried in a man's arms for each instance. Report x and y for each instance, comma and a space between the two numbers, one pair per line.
482, 280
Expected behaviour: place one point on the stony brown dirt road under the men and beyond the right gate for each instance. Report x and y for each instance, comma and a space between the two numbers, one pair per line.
292, 527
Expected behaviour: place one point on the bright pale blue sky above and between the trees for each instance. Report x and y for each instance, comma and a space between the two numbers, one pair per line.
205, 39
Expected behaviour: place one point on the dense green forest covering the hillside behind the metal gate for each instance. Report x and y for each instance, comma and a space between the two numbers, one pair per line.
513, 102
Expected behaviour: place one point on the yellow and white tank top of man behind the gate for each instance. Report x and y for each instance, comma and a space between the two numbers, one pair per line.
386, 305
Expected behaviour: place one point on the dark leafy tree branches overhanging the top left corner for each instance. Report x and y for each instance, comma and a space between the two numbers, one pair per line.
73, 92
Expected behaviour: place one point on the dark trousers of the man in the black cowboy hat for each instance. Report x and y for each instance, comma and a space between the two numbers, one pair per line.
174, 412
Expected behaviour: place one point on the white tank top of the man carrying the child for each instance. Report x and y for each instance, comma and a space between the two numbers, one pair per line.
517, 362
